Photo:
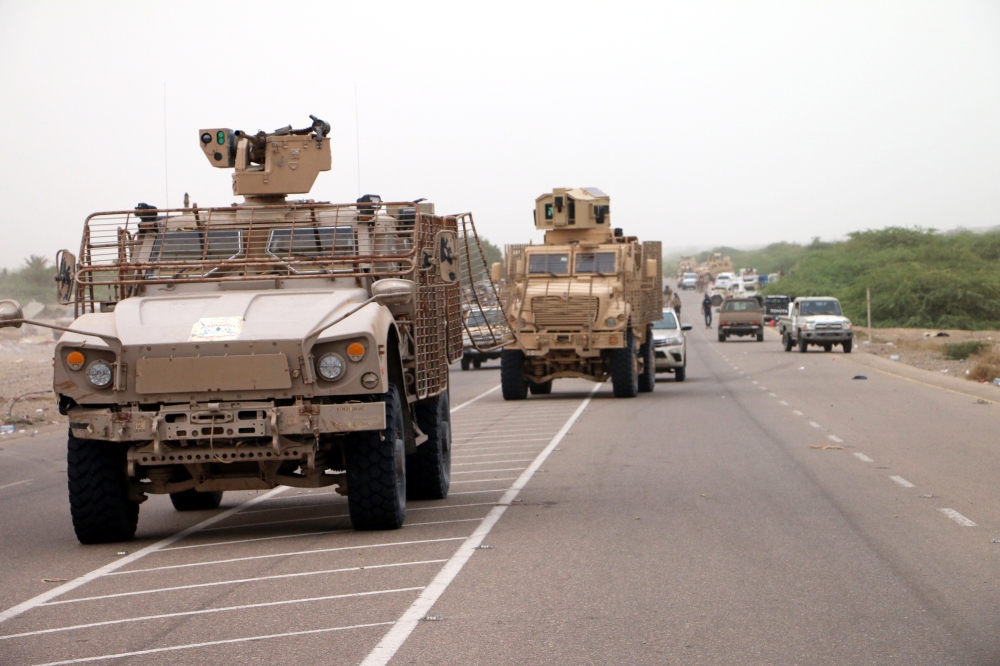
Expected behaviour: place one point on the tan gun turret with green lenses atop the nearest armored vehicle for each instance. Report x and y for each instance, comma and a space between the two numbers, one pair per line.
285, 161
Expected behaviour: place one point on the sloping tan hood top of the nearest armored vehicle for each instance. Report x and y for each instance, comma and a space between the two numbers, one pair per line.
255, 315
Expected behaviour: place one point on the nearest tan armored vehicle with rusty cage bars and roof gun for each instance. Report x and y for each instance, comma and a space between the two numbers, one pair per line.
269, 343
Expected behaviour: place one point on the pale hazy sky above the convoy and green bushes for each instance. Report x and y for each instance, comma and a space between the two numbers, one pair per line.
739, 123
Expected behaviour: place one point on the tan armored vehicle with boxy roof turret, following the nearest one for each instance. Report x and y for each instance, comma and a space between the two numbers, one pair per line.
583, 303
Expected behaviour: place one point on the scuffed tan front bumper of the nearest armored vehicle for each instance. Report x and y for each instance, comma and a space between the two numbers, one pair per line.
208, 423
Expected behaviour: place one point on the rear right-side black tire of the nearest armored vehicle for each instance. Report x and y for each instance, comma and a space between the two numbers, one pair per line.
428, 470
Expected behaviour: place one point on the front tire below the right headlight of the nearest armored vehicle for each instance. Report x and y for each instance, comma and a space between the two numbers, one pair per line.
376, 472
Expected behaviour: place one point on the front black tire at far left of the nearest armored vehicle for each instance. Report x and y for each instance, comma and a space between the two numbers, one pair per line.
99, 492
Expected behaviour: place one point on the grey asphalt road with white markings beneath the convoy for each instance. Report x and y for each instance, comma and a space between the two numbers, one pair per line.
771, 509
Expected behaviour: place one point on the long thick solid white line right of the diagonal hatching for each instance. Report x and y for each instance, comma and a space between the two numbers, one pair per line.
401, 630
